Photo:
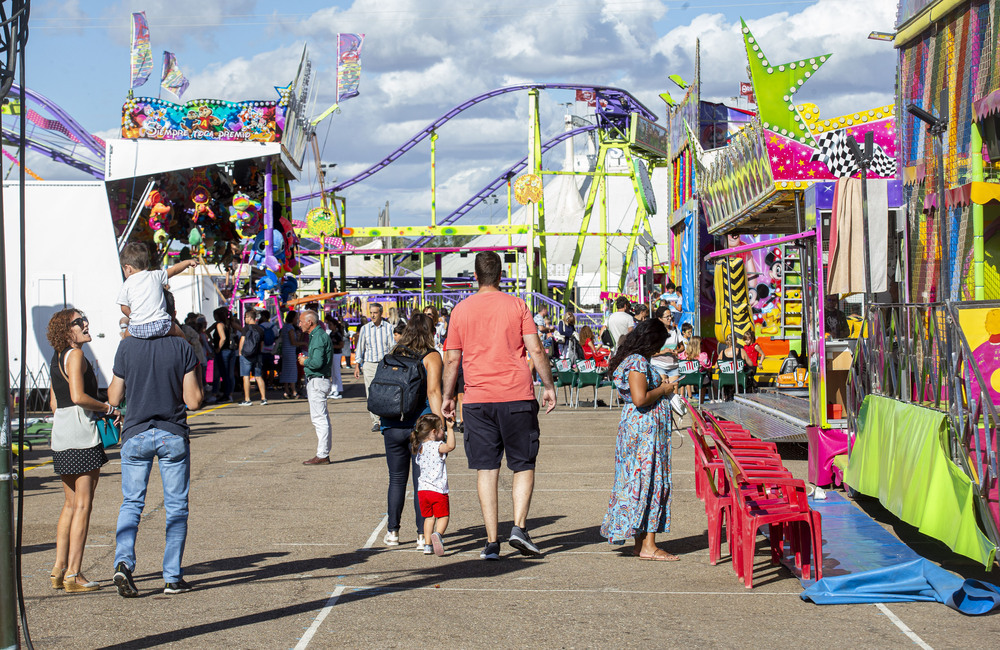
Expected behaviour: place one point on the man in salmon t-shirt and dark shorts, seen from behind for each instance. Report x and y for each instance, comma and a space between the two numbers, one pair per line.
488, 336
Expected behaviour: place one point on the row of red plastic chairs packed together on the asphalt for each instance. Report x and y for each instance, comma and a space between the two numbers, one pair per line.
743, 484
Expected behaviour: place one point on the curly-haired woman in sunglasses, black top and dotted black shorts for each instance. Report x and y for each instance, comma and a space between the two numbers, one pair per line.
77, 452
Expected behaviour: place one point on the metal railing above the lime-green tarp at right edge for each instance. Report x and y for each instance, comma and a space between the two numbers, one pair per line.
919, 354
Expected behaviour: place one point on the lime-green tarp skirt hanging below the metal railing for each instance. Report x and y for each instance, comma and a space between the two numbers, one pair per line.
900, 456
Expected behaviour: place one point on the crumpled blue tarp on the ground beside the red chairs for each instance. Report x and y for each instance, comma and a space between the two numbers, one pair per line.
864, 563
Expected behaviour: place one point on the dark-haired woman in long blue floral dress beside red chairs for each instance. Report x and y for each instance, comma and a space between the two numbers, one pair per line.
640, 501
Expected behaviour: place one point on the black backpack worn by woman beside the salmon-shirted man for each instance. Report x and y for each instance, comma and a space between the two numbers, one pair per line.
399, 389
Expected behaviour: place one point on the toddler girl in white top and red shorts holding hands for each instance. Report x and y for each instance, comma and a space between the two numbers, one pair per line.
430, 445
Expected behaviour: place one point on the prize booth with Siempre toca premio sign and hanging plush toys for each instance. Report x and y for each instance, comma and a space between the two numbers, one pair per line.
209, 180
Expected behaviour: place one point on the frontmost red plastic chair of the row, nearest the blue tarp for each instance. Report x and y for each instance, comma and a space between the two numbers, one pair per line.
780, 503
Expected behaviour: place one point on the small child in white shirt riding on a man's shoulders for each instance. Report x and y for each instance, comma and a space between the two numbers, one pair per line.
141, 297
